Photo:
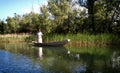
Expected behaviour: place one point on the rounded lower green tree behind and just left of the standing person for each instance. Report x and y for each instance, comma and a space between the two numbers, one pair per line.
29, 22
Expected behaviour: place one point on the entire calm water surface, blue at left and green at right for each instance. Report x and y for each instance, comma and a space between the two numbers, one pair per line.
26, 58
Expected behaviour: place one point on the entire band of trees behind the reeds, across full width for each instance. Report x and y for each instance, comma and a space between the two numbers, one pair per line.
60, 16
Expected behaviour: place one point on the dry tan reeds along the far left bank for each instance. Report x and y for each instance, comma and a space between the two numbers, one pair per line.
13, 38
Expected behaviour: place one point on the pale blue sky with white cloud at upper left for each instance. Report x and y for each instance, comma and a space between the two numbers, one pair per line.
9, 7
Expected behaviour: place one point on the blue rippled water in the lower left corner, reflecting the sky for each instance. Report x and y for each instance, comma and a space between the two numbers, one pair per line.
12, 63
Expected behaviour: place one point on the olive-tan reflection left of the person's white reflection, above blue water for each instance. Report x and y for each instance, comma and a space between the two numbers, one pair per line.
21, 48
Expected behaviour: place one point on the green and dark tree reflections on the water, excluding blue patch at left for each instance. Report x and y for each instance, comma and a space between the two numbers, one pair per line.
76, 60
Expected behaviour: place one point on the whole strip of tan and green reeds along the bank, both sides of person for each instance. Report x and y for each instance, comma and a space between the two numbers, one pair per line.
76, 39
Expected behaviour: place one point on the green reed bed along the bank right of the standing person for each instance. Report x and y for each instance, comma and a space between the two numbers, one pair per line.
86, 39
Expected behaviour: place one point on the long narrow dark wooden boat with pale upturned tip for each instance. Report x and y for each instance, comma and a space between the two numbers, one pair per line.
58, 43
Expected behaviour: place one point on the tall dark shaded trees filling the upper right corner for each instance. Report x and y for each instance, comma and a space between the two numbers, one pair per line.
102, 14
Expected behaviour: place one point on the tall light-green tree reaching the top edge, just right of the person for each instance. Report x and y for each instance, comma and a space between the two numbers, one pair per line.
59, 10
